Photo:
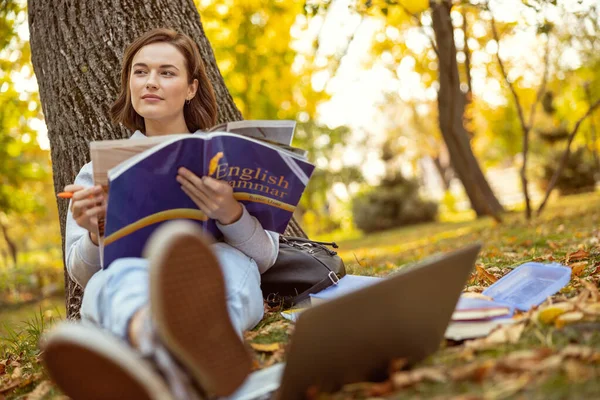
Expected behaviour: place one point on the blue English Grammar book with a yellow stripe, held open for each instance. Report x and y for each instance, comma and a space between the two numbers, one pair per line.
143, 192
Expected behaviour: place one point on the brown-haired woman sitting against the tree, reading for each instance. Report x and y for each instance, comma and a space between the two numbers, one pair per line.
186, 304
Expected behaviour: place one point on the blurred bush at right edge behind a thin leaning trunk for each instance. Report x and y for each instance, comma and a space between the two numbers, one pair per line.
578, 176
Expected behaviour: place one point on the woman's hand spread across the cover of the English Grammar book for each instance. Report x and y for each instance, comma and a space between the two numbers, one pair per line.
212, 196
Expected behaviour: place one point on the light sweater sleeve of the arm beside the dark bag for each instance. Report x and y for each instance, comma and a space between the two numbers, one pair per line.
248, 236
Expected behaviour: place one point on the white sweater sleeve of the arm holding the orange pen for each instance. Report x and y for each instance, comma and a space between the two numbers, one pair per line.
82, 256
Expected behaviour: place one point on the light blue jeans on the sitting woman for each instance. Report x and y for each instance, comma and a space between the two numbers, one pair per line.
114, 295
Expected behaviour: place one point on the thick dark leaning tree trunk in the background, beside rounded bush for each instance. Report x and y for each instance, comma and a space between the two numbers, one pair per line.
451, 107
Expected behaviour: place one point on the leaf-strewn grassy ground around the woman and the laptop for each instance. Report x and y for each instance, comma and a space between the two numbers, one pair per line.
543, 360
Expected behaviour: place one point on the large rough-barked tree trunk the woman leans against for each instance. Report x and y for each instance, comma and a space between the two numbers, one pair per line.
77, 47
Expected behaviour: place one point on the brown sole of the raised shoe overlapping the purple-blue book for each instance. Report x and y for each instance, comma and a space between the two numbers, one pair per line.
188, 304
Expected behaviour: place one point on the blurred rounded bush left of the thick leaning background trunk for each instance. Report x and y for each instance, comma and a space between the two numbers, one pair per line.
394, 203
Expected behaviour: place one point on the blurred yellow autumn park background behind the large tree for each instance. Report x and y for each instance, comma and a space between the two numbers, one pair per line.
431, 125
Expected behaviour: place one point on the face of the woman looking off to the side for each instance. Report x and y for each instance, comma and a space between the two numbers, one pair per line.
158, 82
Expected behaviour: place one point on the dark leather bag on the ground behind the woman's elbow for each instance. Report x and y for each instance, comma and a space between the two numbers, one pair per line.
302, 267
